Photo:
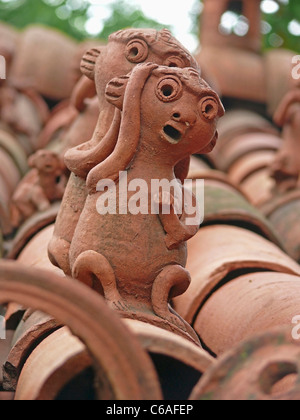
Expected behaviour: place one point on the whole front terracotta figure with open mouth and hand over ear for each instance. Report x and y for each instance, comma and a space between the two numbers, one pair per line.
137, 260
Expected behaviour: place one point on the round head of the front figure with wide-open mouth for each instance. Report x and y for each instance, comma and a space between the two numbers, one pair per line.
179, 111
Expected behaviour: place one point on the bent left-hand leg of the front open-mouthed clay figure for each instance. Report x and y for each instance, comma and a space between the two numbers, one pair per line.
95, 271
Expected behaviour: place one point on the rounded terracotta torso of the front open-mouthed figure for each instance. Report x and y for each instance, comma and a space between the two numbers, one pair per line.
134, 244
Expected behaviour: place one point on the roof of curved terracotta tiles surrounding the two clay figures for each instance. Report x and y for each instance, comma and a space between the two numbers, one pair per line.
242, 308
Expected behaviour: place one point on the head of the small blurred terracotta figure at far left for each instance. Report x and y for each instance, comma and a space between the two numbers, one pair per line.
47, 162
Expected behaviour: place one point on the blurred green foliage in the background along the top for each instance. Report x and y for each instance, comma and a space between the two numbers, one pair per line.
70, 16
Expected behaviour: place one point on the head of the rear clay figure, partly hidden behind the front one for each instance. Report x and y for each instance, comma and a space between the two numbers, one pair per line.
130, 47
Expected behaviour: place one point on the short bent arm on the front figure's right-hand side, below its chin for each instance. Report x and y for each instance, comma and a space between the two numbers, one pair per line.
174, 224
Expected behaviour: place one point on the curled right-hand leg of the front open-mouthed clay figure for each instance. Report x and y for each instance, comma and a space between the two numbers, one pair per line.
171, 282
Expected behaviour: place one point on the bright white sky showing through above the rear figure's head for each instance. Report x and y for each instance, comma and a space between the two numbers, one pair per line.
169, 12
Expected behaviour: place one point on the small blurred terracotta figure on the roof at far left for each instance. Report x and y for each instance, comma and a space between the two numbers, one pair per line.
41, 187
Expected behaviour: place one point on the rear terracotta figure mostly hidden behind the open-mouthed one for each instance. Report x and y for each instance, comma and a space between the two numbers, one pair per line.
123, 52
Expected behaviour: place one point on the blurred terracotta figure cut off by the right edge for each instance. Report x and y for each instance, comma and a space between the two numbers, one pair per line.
286, 166
